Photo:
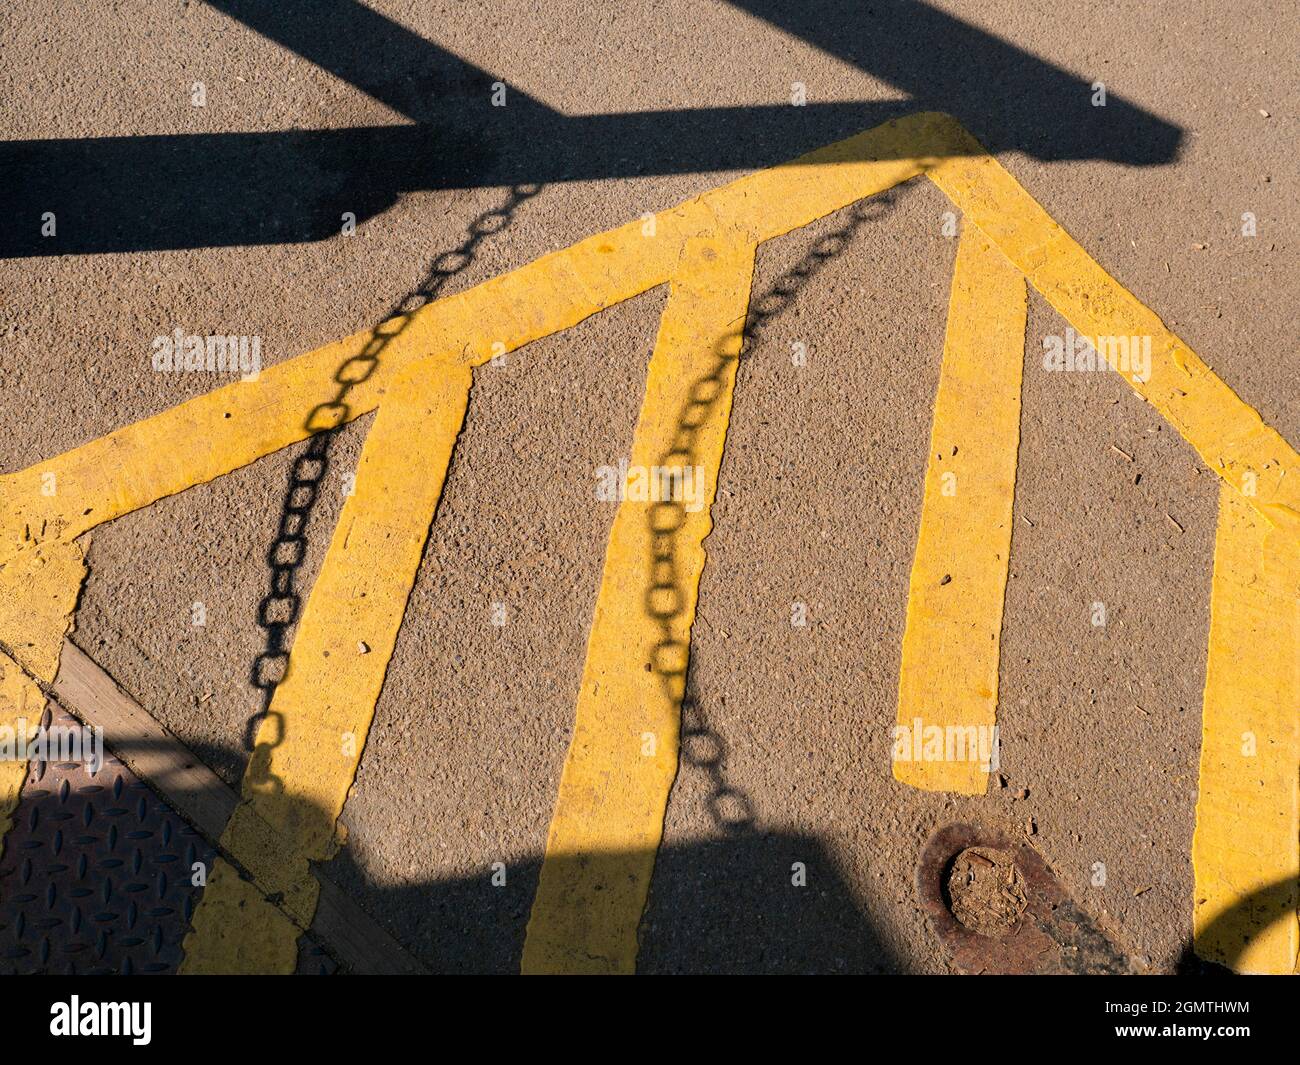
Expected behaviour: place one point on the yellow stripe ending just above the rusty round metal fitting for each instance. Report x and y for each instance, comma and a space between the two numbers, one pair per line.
948, 678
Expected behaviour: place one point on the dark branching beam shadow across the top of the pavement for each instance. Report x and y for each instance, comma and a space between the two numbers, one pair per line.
131, 194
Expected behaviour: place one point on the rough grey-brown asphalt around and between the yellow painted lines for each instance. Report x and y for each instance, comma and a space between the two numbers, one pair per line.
822, 478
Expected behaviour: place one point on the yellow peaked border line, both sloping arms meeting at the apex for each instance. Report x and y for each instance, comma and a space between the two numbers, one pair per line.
232, 427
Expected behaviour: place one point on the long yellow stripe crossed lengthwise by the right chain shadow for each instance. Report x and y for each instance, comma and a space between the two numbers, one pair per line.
622, 761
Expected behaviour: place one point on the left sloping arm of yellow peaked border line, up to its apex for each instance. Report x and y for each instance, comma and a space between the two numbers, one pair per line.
235, 426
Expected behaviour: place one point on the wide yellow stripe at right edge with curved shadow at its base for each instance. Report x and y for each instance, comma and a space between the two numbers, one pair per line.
1246, 851
